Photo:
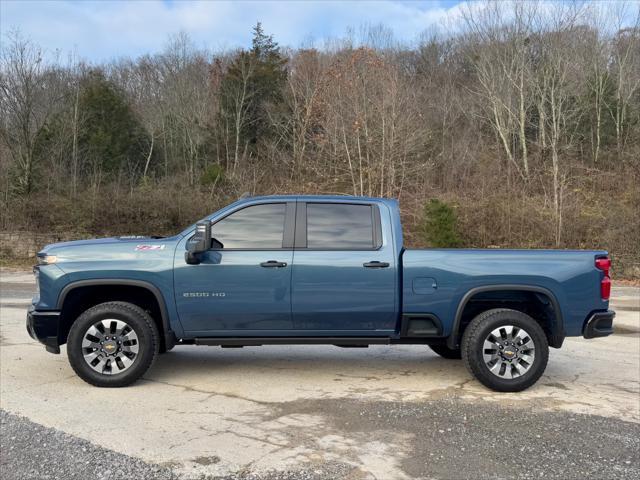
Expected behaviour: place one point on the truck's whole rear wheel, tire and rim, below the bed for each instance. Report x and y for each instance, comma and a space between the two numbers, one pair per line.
506, 350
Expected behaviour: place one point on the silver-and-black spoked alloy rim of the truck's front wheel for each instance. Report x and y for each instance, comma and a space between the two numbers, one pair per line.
110, 346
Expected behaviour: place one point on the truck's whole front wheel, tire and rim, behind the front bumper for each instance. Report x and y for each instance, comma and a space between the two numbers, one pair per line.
112, 344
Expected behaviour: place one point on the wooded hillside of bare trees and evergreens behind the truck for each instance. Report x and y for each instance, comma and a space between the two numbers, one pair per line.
519, 129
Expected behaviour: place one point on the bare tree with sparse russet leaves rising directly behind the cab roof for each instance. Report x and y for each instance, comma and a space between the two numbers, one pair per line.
368, 133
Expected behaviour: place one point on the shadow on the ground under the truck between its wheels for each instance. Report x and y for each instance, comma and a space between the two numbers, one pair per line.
305, 363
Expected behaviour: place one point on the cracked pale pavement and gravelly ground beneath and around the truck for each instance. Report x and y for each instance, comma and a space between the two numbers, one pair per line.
384, 412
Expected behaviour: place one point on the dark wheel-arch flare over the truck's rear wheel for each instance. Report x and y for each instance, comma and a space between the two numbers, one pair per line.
557, 329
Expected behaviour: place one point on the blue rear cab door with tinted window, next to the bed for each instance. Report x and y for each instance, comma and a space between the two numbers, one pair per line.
344, 272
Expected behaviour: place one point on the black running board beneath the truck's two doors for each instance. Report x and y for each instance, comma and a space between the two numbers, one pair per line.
257, 341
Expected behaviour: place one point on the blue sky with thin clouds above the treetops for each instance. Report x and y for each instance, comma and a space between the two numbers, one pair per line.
104, 30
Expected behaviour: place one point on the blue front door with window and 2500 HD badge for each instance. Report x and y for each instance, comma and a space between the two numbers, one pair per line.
243, 287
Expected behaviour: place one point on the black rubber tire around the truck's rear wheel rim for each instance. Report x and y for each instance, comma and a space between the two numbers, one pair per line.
480, 329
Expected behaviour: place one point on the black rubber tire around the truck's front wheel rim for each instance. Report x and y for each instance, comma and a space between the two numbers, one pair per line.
147, 342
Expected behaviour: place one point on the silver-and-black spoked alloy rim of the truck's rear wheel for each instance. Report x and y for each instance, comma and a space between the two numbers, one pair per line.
508, 352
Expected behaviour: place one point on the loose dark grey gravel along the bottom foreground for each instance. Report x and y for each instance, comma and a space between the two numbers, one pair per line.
445, 439
